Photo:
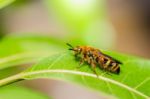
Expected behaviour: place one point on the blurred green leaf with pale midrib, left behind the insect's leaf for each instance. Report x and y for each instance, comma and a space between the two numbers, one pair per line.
19, 49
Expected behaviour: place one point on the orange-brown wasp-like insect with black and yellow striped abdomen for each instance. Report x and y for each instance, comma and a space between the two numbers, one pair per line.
95, 57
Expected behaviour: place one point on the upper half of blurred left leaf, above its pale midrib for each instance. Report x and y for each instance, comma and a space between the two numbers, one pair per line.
28, 43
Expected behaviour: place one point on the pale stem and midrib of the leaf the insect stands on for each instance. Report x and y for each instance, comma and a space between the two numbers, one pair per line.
25, 75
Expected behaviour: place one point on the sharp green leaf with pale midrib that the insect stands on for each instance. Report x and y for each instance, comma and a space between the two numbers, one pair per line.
132, 82
